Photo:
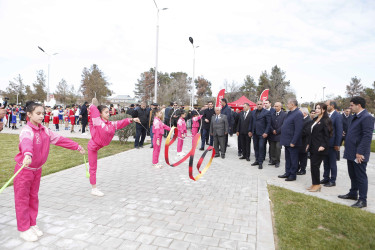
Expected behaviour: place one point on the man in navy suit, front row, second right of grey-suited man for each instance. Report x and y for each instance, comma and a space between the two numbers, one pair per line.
259, 128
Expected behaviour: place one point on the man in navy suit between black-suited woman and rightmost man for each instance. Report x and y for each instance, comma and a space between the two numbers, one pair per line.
330, 164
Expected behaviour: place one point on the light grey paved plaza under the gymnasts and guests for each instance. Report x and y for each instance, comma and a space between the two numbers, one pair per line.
147, 208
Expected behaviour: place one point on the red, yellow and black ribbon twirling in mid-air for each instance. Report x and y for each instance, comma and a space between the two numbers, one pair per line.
191, 154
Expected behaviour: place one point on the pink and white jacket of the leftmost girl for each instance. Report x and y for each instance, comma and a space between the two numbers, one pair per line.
35, 141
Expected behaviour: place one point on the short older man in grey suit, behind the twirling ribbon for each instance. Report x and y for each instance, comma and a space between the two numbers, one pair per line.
219, 130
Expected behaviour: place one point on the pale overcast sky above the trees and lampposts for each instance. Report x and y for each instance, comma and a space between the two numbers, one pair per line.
318, 43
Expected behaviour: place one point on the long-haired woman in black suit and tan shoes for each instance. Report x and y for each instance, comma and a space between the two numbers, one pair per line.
320, 133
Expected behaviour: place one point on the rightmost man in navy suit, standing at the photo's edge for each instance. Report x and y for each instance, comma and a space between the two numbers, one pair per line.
357, 151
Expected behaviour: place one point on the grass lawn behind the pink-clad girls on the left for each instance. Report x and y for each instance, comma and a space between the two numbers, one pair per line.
59, 158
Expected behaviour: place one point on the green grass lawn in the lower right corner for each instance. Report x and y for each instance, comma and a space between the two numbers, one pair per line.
307, 222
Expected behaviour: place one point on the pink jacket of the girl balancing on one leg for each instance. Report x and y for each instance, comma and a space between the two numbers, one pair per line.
102, 131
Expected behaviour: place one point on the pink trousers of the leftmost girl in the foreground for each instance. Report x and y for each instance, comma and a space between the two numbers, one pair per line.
26, 188
